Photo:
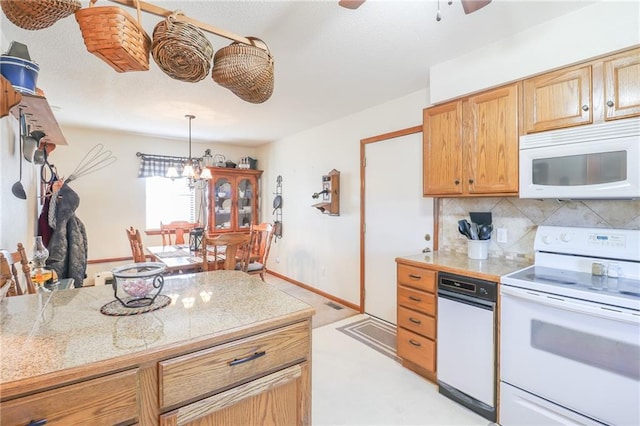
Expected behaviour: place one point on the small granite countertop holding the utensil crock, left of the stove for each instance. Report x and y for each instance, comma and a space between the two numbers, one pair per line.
489, 269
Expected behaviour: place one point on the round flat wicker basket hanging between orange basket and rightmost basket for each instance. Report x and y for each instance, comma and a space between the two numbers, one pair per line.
181, 50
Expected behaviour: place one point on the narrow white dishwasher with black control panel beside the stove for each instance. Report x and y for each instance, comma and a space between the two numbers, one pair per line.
466, 349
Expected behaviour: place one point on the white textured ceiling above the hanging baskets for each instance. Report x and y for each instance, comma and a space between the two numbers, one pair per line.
329, 62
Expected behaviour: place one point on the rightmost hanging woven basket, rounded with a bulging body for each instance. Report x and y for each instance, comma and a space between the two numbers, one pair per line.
246, 70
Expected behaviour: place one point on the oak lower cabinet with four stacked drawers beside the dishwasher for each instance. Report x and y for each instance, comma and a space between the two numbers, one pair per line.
416, 335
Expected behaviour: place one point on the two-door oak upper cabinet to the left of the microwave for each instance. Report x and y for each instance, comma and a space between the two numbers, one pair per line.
471, 145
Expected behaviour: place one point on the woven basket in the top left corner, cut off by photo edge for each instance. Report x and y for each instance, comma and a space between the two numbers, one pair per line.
38, 14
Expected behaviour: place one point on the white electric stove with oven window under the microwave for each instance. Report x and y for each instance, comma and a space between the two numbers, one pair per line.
570, 331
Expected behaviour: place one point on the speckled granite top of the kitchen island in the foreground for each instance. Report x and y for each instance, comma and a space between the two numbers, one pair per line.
49, 332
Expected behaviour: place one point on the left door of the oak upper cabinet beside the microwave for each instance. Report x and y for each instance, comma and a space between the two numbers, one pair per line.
442, 149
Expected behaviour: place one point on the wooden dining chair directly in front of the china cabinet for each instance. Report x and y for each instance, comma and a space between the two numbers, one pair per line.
230, 251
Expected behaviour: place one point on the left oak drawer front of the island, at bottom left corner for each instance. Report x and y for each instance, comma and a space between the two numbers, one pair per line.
106, 400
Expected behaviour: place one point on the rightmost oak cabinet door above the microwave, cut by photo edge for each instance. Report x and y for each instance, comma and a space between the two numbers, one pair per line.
622, 85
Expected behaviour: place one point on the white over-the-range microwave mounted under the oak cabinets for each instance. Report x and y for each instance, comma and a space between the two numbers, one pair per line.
598, 161
